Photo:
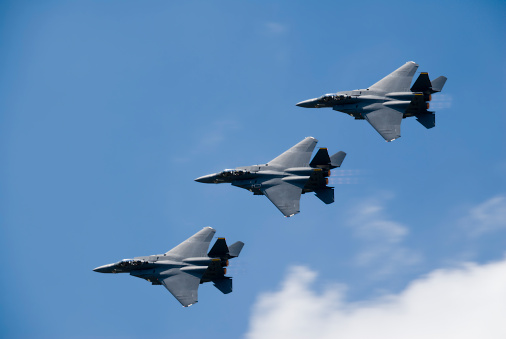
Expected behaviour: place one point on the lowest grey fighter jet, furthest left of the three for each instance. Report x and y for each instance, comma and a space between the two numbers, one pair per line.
184, 267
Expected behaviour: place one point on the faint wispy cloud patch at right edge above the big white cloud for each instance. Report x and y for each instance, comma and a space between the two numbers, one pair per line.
487, 217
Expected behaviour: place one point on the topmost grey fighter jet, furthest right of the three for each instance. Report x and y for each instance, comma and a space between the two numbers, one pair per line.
387, 102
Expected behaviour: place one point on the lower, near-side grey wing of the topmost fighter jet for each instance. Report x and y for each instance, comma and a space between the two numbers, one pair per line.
386, 121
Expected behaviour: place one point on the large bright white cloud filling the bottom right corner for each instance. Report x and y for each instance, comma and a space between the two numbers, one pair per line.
465, 303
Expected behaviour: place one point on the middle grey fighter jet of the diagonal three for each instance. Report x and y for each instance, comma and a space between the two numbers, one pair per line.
286, 177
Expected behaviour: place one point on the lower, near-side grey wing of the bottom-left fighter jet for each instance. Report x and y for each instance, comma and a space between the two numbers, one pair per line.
183, 286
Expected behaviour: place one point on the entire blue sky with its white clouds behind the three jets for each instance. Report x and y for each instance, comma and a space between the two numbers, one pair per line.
110, 109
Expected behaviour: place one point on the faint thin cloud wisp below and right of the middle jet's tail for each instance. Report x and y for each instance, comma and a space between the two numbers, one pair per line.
381, 238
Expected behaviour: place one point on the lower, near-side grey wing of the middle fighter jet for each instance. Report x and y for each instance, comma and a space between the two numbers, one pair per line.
286, 197
